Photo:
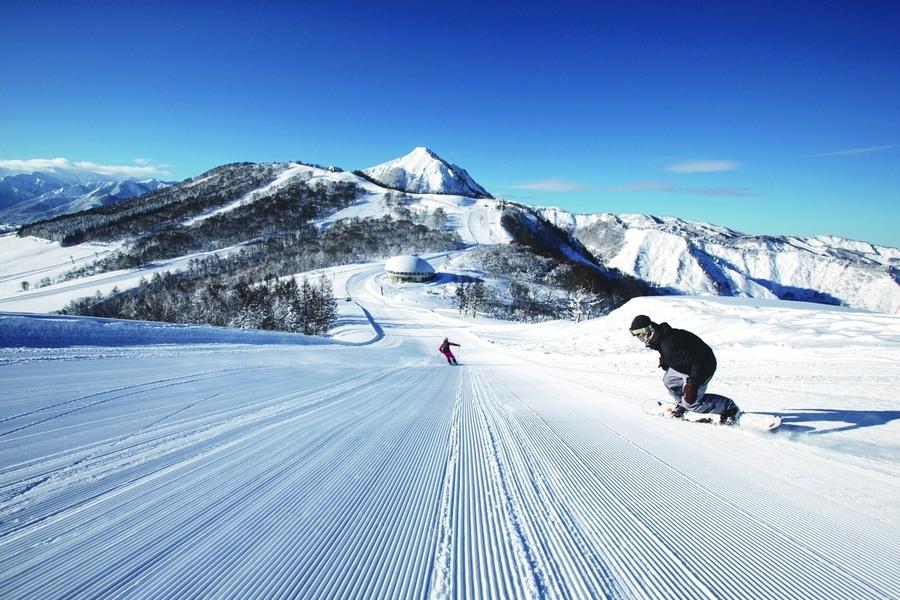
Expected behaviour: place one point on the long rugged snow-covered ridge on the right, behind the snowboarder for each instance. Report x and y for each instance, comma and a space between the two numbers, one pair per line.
699, 258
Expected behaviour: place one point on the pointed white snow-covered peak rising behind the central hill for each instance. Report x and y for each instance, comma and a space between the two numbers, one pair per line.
424, 172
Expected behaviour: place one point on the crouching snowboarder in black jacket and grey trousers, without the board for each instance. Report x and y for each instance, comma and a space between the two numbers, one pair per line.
689, 365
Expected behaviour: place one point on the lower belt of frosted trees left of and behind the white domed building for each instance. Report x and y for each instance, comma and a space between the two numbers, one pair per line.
254, 288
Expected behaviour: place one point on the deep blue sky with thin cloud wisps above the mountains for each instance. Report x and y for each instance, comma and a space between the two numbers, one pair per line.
771, 118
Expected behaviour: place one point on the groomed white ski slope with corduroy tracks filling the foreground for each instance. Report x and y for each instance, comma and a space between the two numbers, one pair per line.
368, 468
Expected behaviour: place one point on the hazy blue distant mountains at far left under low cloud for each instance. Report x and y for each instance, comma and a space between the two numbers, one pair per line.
27, 197
